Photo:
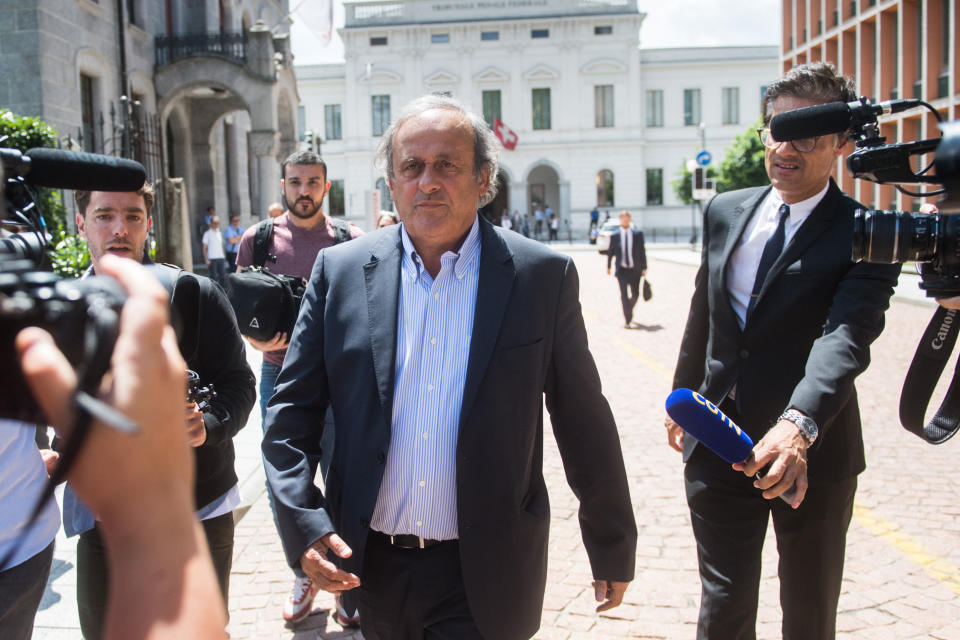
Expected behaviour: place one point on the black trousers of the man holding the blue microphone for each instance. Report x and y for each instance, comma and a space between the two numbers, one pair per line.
729, 518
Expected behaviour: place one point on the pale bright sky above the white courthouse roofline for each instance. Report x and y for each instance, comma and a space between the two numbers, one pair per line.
669, 23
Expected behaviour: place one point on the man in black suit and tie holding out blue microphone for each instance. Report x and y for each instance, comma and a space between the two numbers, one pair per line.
780, 324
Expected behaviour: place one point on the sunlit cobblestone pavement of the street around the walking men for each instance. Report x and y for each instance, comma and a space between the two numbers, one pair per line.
901, 579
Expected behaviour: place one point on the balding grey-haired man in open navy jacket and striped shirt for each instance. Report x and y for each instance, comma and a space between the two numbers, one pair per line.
435, 342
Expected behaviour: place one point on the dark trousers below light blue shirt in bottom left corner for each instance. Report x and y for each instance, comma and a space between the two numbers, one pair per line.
21, 589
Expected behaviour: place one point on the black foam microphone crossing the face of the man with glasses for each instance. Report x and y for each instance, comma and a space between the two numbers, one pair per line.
832, 117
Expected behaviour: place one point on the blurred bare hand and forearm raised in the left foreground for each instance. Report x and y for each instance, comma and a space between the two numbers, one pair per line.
140, 485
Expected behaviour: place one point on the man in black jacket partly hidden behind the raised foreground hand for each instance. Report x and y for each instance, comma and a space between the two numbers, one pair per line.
117, 223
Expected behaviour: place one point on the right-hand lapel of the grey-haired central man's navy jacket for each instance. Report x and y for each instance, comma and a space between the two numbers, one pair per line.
494, 285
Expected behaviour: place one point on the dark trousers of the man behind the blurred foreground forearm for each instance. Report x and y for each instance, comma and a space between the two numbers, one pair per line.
93, 571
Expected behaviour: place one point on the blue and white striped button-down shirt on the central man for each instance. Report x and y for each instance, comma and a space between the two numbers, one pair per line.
418, 494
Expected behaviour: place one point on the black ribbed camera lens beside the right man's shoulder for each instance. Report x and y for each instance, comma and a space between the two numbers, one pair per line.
894, 236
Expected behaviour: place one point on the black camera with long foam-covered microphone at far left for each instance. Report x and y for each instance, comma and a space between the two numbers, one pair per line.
81, 315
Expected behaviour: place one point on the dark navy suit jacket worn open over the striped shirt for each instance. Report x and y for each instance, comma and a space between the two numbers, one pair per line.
528, 342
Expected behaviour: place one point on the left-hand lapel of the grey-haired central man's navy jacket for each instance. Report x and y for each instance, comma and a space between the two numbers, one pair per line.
382, 284
